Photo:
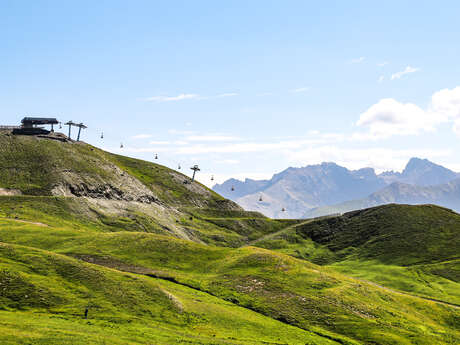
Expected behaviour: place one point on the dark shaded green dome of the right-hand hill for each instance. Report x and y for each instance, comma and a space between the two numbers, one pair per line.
396, 234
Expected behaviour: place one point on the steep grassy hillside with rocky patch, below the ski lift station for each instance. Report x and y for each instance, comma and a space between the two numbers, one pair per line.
35, 166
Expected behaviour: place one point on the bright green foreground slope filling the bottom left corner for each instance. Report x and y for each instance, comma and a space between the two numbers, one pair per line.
50, 292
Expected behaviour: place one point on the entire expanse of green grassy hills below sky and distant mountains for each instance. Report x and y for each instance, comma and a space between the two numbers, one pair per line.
158, 261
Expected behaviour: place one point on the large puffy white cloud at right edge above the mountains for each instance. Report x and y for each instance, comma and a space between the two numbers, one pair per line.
389, 117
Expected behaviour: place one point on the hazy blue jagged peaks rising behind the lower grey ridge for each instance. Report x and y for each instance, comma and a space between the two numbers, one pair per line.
321, 185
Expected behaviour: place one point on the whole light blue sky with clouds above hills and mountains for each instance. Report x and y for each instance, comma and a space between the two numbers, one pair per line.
242, 88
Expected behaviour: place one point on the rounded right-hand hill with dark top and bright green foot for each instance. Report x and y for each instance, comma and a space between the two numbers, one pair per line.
407, 248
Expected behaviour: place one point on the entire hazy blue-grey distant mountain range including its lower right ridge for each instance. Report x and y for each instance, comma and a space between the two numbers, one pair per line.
329, 188
